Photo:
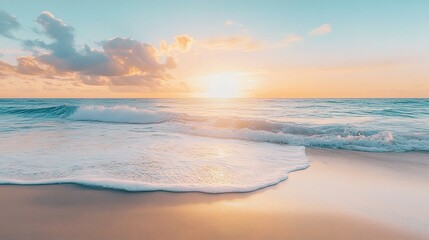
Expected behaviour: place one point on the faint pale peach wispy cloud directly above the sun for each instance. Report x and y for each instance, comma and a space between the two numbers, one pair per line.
236, 43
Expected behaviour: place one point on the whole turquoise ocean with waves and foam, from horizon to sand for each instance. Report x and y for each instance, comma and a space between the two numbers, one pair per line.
204, 145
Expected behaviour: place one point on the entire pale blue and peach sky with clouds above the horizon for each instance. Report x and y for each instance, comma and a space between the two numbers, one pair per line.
235, 48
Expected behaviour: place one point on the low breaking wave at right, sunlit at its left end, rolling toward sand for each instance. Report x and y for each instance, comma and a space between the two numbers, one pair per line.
336, 136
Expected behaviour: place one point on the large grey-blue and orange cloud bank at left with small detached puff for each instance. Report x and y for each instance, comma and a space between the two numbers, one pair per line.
120, 61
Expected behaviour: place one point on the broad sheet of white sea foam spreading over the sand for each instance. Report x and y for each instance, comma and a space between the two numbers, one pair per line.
146, 161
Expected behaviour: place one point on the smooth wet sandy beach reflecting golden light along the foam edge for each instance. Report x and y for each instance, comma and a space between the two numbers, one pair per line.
343, 195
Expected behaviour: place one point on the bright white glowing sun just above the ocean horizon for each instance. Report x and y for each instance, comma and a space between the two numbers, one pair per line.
223, 85
